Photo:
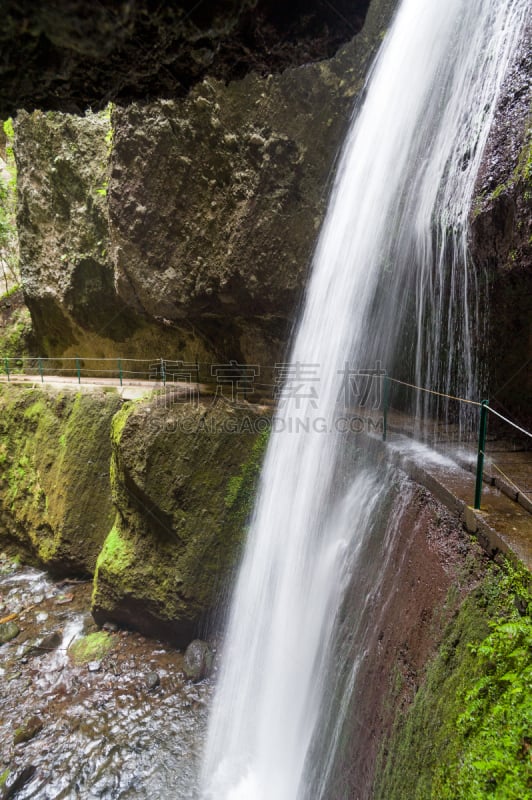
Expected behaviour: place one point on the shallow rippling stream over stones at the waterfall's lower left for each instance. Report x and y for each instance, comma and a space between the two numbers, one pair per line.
104, 734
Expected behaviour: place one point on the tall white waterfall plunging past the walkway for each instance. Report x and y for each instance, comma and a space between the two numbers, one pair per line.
392, 256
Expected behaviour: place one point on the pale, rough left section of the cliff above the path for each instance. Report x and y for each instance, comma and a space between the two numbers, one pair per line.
62, 220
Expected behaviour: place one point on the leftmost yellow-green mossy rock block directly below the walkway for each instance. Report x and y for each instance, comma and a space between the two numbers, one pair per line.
55, 498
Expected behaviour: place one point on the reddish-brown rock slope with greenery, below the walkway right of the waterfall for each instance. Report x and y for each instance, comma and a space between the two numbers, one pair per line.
429, 688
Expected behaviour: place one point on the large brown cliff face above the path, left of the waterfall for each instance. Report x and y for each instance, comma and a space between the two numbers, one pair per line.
184, 226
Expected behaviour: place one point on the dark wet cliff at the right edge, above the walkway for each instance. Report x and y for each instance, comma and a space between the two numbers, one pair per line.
501, 243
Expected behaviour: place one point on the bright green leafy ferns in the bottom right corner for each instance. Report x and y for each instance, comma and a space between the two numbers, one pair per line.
494, 730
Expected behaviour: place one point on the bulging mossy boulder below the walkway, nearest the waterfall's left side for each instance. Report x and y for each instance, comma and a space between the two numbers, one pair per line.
183, 481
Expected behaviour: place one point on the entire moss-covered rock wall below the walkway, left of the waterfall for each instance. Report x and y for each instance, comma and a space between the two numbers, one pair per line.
152, 497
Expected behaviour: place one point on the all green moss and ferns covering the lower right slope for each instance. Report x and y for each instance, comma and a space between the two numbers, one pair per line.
468, 733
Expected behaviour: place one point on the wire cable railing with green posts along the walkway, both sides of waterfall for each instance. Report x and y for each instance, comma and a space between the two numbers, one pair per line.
238, 381
